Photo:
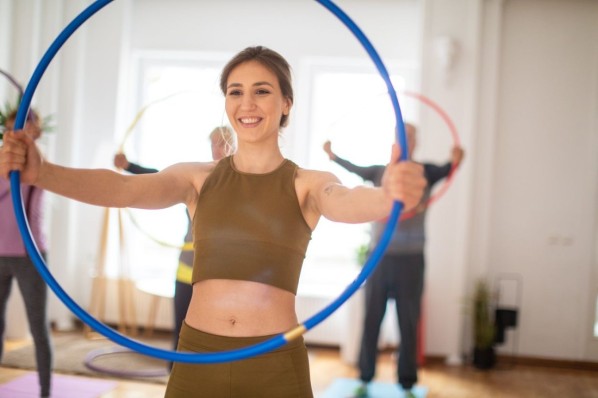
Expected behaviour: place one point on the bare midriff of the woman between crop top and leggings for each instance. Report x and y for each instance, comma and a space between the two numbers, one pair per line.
240, 308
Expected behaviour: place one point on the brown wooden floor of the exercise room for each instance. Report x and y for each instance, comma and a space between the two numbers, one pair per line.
442, 381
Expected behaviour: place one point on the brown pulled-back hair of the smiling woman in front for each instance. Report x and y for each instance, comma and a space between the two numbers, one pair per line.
270, 59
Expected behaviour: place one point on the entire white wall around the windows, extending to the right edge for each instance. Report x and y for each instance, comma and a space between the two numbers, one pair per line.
522, 93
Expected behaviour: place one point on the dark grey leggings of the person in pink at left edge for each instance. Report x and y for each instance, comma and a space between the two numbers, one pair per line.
35, 293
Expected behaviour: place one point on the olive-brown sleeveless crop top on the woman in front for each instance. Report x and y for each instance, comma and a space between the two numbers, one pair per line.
250, 227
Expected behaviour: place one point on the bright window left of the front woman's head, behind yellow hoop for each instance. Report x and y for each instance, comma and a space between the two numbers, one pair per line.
183, 104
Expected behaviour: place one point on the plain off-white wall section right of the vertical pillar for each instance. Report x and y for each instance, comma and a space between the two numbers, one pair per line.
544, 205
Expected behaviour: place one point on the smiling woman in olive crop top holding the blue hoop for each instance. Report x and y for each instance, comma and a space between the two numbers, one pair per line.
253, 215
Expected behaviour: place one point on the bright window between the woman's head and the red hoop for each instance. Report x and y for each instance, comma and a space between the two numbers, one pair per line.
348, 105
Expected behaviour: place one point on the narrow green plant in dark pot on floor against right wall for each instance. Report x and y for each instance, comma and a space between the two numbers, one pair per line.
484, 330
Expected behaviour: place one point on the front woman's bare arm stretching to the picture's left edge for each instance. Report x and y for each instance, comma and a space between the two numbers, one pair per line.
99, 187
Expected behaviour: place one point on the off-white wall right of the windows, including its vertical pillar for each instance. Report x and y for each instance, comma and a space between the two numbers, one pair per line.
524, 92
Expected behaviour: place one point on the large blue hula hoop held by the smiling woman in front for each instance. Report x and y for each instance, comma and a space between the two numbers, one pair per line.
225, 356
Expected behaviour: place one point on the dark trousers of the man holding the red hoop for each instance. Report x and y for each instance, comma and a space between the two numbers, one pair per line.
400, 277
